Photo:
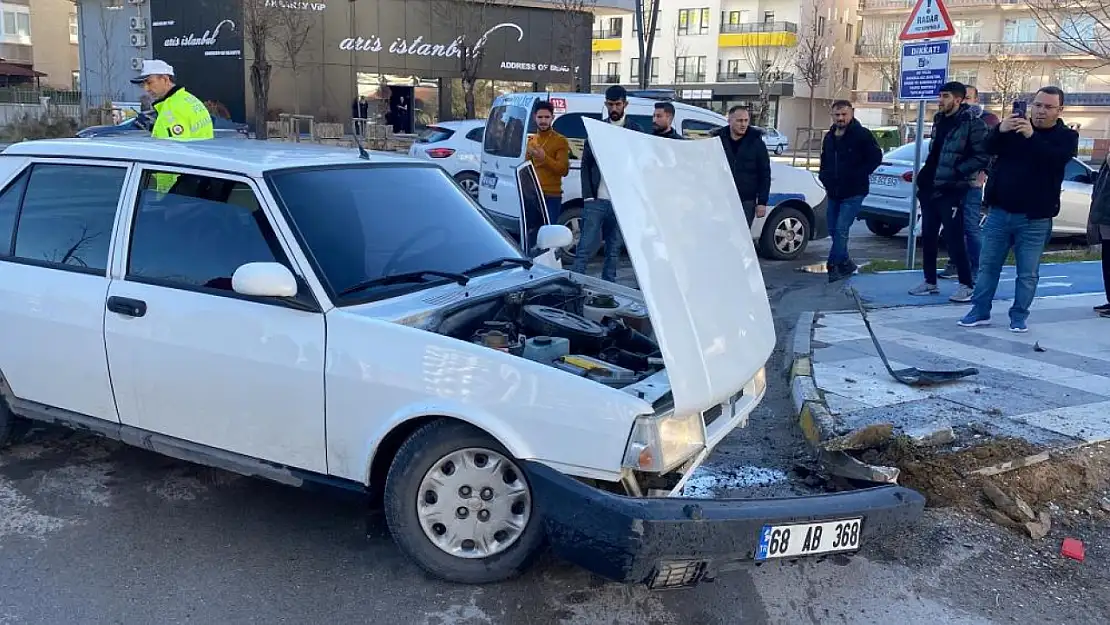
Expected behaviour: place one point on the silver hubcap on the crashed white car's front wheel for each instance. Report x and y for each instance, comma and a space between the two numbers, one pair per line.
473, 503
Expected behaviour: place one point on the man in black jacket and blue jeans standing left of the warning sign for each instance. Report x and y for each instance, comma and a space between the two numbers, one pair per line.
850, 155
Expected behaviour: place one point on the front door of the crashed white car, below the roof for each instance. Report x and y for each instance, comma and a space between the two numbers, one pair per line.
193, 359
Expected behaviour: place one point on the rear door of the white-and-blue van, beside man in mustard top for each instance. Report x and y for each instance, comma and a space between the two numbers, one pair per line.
503, 147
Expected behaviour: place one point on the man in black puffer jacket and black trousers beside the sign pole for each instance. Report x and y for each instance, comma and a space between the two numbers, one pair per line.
957, 155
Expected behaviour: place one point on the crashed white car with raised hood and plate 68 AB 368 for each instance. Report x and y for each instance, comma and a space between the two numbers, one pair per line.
307, 316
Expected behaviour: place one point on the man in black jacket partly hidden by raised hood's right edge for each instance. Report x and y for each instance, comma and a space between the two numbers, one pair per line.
749, 162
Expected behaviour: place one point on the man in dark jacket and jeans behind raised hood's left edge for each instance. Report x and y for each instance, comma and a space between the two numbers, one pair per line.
599, 221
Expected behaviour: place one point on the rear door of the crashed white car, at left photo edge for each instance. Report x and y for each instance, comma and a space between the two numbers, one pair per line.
57, 219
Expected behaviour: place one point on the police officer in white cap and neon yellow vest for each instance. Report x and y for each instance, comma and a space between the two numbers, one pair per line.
181, 116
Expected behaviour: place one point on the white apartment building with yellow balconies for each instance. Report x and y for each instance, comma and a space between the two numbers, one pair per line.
711, 54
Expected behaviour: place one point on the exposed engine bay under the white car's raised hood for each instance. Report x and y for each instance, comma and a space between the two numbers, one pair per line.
604, 338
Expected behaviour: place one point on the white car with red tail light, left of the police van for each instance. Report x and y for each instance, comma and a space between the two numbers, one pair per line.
457, 147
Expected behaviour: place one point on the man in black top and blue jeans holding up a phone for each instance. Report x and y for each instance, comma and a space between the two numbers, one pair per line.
1032, 156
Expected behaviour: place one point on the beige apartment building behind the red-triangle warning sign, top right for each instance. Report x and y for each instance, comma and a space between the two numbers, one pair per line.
1000, 47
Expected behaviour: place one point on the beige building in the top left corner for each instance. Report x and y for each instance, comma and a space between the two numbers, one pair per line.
39, 44
